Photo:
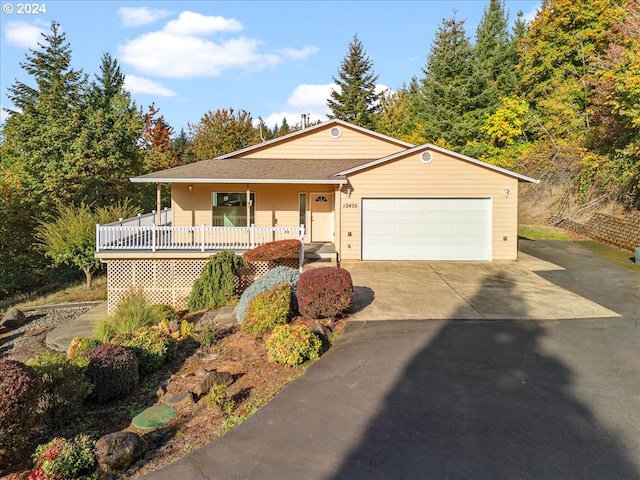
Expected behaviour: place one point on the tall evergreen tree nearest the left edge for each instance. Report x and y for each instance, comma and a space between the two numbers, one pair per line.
38, 135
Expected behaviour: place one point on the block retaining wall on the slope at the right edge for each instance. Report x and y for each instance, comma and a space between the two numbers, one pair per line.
619, 231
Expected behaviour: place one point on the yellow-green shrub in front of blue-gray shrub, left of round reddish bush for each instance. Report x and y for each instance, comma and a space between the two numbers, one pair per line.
268, 309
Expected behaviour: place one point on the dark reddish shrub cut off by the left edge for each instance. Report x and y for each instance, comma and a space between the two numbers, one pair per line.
20, 389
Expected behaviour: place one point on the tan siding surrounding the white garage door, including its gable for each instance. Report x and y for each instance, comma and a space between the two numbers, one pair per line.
443, 177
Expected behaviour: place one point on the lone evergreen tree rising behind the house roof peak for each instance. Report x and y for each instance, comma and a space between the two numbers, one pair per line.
356, 100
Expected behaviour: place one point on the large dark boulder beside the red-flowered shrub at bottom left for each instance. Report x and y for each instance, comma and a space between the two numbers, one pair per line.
116, 451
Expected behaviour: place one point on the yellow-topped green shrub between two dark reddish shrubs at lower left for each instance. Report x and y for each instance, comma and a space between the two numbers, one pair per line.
65, 386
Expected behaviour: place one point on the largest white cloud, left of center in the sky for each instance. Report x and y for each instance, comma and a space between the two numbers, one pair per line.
182, 49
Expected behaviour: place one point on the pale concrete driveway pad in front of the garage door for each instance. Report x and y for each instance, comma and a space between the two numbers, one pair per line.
466, 291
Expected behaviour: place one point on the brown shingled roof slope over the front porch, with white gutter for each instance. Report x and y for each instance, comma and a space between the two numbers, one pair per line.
256, 170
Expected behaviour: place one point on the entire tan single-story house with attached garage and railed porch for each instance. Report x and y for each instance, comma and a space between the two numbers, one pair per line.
368, 196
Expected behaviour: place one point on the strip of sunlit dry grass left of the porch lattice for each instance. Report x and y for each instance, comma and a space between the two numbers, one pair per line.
74, 292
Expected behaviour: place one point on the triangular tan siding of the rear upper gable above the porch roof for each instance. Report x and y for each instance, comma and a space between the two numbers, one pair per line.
319, 144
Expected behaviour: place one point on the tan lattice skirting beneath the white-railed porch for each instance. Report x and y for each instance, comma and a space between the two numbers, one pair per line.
169, 281
